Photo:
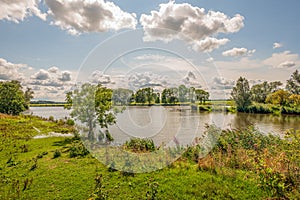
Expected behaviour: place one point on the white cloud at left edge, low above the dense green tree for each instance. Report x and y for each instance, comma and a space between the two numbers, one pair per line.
10, 71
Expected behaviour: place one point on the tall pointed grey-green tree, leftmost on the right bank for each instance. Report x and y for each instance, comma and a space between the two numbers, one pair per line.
241, 94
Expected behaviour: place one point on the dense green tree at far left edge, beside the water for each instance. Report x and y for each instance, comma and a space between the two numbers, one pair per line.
12, 99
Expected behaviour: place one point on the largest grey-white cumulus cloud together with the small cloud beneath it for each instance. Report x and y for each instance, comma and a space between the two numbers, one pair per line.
192, 24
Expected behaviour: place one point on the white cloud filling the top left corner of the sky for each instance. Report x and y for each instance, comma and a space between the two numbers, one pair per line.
18, 10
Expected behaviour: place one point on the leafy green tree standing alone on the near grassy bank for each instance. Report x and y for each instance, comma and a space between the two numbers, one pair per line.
92, 104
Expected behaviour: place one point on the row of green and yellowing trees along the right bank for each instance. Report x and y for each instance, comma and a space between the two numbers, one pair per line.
267, 93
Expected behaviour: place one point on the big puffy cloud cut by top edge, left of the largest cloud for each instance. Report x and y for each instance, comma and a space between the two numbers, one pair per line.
89, 16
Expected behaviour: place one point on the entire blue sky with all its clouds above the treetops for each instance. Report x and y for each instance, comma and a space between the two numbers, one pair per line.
51, 45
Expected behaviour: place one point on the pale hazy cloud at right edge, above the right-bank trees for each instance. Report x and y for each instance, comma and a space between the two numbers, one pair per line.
282, 59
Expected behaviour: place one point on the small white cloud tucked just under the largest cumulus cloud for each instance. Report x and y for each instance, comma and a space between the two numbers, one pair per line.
209, 44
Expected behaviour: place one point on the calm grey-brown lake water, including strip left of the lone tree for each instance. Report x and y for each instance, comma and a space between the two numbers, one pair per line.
170, 125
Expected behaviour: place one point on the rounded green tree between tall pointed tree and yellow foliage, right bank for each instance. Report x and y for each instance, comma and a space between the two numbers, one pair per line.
260, 92
